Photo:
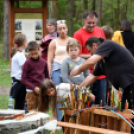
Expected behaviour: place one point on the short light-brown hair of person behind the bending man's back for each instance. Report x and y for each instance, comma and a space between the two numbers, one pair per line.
108, 31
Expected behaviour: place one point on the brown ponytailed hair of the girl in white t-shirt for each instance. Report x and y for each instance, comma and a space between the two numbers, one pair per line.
18, 41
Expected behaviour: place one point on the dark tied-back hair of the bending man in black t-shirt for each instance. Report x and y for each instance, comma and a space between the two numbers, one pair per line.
94, 39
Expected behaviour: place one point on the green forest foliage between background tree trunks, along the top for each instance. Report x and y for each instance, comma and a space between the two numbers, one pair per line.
109, 9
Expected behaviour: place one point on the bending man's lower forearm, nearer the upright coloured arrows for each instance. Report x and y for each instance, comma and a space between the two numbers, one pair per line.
89, 80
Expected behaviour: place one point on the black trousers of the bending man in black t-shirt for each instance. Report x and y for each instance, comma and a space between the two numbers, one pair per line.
128, 95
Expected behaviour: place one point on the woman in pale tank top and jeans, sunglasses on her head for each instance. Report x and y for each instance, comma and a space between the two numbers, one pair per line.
56, 54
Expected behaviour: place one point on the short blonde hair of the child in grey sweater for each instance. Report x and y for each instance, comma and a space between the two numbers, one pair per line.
73, 43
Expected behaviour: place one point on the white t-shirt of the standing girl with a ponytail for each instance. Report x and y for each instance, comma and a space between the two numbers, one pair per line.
17, 62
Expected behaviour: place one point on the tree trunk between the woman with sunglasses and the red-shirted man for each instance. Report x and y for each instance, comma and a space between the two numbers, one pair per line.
71, 16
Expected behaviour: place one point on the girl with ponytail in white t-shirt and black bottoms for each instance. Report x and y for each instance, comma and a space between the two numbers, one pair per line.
18, 90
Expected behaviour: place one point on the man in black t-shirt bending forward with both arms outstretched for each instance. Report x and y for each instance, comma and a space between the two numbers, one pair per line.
112, 60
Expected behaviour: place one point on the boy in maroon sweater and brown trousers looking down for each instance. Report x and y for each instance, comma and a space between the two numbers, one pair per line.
34, 72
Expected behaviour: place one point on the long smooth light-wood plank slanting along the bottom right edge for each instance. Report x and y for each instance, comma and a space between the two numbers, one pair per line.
89, 129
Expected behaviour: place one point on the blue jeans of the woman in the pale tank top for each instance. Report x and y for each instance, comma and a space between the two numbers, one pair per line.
56, 78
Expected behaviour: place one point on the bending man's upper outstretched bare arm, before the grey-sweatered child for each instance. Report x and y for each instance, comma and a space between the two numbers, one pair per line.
86, 65
